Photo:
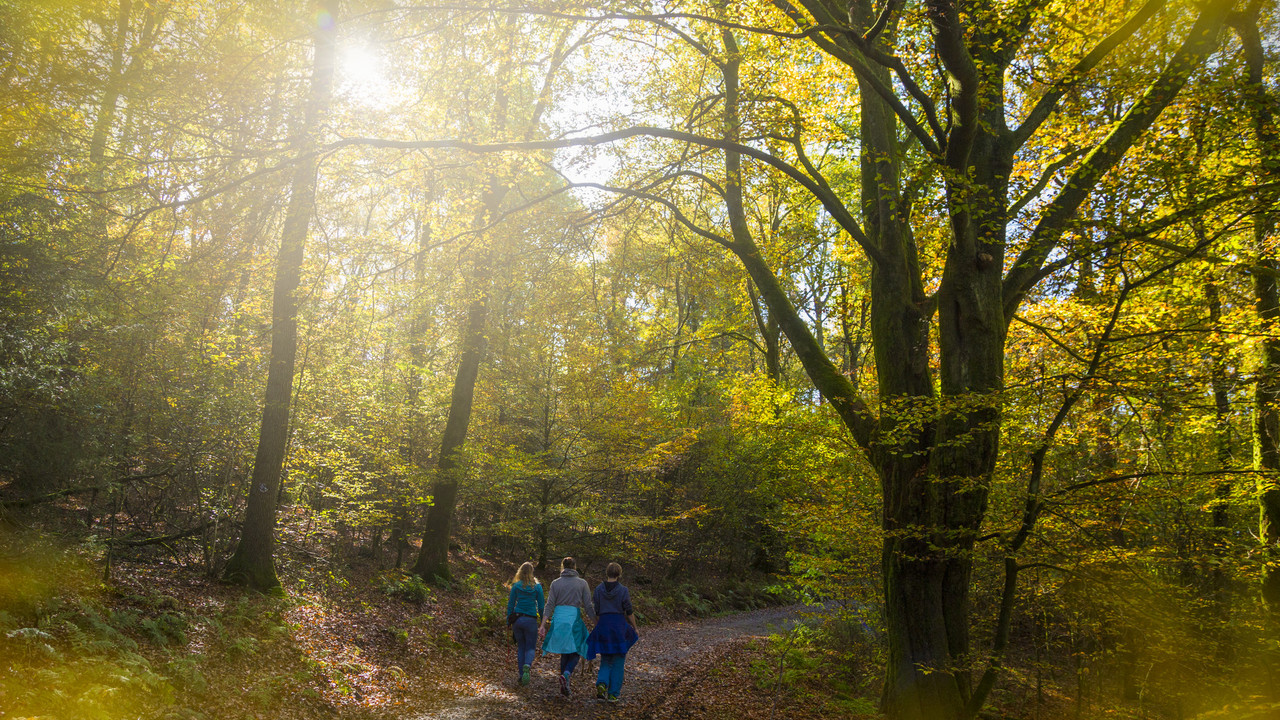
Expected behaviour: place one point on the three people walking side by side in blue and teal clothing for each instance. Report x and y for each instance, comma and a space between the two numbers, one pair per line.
569, 605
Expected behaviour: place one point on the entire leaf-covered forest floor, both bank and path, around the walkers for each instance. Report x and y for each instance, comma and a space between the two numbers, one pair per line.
354, 642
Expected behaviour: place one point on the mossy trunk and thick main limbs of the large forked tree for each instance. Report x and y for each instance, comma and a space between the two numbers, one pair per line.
935, 441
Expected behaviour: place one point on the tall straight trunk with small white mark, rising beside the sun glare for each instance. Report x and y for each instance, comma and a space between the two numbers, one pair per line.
253, 563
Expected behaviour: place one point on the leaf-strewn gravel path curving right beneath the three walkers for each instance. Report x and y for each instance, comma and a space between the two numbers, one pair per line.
652, 667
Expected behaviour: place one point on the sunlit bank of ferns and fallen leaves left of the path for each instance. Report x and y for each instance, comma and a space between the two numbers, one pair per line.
76, 646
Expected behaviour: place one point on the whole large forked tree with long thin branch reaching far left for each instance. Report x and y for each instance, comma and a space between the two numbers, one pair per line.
932, 430
